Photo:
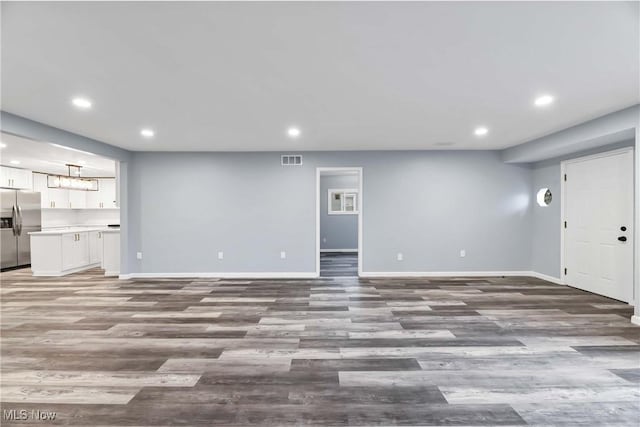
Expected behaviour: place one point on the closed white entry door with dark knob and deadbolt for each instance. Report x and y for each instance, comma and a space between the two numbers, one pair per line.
598, 236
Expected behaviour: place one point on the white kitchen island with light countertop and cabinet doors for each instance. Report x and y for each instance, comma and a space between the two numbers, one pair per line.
61, 251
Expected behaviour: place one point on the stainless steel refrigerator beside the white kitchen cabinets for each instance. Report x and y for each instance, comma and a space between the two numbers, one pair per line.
20, 215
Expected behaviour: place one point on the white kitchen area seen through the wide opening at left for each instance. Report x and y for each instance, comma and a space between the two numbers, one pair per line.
59, 209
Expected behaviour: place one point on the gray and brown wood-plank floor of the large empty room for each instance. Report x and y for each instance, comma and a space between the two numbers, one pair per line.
333, 351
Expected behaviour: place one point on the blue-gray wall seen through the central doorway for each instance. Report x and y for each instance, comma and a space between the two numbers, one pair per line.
337, 231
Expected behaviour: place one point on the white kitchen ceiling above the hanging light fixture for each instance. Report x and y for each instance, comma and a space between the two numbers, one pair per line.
48, 158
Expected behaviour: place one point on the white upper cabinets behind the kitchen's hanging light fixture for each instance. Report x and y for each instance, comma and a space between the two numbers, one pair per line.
59, 198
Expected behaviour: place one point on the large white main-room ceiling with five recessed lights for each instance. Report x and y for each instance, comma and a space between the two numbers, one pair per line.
353, 76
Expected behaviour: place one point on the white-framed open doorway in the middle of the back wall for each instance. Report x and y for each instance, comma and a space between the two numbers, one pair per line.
339, 221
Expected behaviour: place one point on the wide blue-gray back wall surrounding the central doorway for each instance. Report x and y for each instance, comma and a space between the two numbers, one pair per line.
427, 205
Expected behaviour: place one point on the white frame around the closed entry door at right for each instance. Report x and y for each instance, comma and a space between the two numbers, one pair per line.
563, 190
